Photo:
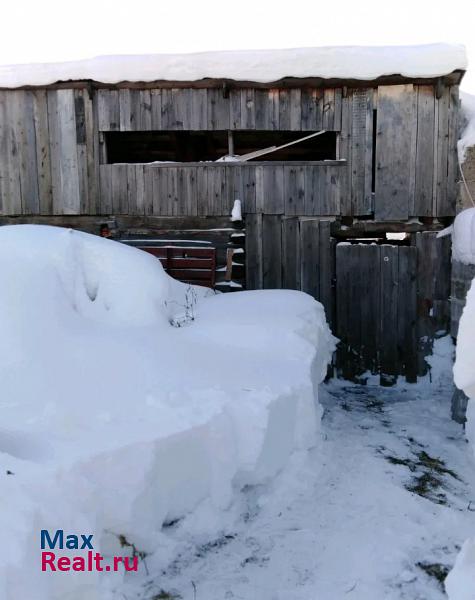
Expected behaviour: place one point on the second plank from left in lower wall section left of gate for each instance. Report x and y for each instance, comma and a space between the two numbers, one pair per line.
272, 251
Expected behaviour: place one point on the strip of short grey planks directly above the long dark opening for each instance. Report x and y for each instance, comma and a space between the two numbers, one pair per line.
210, 109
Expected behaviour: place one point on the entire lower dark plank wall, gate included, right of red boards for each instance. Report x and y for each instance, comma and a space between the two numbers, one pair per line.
386, 303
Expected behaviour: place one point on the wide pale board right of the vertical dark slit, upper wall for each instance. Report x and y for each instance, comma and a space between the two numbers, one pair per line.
394, 151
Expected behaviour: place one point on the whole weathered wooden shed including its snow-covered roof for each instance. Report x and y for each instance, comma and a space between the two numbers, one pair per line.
360, 143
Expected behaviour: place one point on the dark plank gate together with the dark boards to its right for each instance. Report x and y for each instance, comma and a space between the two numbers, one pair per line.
391, 302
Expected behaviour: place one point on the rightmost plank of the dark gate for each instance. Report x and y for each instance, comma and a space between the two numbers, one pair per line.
407, 312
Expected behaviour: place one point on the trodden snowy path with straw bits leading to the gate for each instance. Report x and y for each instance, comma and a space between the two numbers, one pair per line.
379, 511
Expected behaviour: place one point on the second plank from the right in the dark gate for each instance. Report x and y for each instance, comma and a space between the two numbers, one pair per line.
389, 356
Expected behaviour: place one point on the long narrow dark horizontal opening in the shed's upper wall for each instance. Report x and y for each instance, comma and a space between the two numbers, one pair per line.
197, 146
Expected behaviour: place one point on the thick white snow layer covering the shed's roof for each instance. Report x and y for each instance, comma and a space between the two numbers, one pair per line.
263, 66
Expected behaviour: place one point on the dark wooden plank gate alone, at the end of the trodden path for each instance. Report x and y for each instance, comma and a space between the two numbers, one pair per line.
376, 310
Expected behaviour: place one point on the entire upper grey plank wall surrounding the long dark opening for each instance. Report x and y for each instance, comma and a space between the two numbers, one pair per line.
52, 152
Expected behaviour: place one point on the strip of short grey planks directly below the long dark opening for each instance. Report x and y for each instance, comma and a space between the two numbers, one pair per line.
211, 188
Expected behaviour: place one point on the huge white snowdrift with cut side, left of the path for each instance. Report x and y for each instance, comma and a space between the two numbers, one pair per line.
129, 399
